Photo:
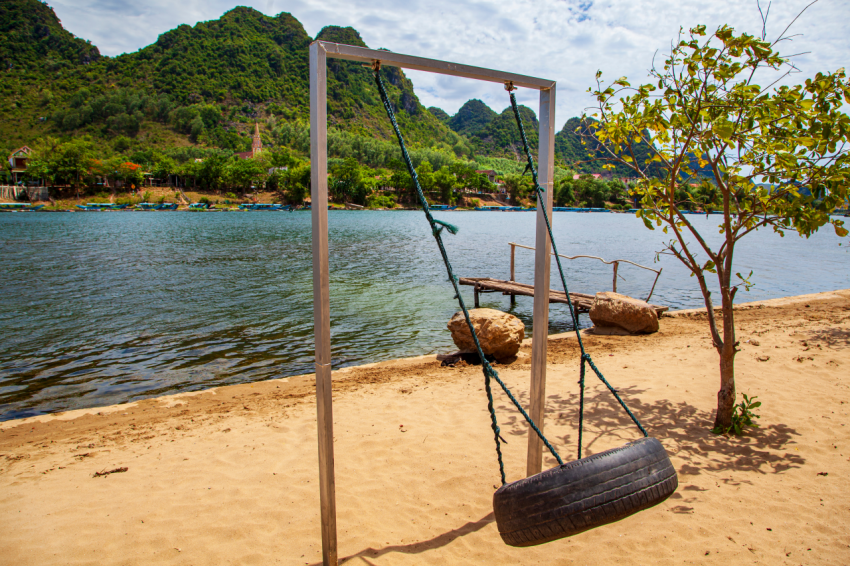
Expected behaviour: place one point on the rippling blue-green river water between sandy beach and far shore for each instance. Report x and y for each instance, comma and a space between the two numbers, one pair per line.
103, 308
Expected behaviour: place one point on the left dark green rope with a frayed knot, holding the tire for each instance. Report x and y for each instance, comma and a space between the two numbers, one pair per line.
489, 372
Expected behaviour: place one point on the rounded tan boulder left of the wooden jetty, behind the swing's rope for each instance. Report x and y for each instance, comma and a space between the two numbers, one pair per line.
499, 333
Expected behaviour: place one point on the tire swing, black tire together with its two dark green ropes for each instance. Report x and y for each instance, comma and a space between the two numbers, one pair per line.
580, 495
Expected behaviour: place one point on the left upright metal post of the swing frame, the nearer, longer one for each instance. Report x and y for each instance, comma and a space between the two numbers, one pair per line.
321, 298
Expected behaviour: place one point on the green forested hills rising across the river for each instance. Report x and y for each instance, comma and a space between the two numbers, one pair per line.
181, 107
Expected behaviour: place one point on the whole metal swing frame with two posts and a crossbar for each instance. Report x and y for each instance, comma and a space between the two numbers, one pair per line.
320, 51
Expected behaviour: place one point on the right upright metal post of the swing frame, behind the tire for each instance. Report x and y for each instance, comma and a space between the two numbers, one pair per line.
542, 264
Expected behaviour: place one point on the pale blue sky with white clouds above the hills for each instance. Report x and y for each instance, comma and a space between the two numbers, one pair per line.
562, 40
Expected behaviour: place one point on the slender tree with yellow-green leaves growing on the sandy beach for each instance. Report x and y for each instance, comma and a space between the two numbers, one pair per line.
778, 158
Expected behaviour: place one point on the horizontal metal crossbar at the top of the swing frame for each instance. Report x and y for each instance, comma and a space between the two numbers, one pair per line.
364, 55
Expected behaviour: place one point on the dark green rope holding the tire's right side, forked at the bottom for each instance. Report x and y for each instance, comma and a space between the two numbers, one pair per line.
585, 357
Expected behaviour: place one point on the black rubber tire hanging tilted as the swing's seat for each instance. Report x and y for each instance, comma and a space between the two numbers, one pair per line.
584, 494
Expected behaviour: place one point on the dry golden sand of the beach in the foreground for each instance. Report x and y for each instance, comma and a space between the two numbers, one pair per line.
229, 476
